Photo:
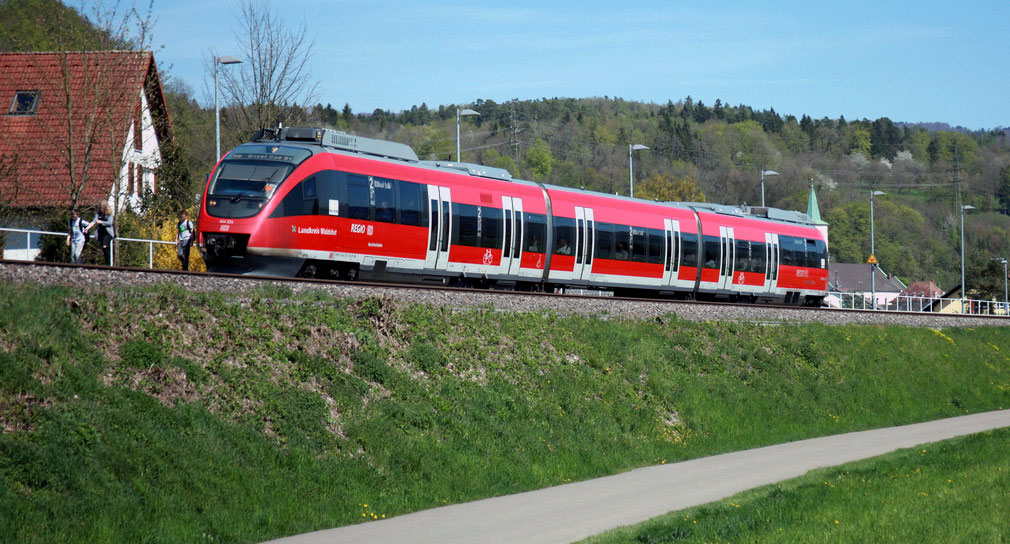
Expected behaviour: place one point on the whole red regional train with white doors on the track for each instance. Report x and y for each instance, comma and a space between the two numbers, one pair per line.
321, 203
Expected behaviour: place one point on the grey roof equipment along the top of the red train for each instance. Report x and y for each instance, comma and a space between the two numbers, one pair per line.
342, 142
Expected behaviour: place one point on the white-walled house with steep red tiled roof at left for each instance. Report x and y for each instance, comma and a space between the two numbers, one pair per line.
79, 129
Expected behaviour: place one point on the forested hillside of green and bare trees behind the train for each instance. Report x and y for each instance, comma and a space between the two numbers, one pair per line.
696, 152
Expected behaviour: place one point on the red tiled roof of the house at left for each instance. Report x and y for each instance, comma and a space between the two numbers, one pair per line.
86, 105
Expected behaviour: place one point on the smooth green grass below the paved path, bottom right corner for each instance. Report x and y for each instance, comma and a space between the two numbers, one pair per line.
955, 491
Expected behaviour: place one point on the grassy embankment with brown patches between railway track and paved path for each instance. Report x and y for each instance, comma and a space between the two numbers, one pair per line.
160, 415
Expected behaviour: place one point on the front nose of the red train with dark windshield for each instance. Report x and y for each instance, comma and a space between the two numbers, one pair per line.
247, 186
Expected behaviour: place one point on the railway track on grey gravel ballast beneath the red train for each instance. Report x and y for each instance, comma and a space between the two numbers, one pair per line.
100, 277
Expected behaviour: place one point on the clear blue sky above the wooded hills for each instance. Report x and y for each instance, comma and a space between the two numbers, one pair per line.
926, 61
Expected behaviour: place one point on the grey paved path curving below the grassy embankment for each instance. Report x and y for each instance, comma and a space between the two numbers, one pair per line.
576, 511
